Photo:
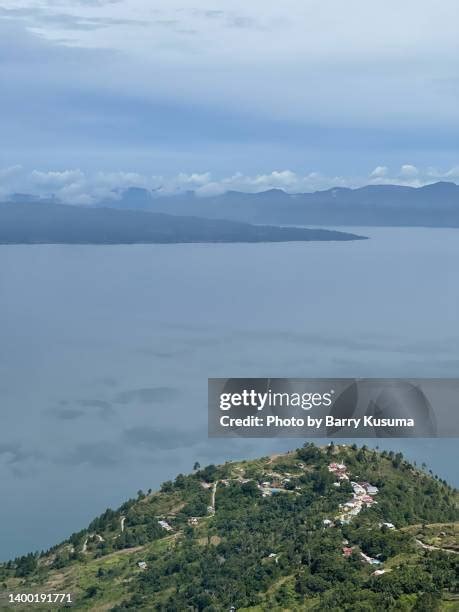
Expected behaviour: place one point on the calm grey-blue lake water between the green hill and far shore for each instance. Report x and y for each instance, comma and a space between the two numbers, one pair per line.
105, 353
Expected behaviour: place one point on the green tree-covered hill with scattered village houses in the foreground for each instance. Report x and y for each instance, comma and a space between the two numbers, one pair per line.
335, 528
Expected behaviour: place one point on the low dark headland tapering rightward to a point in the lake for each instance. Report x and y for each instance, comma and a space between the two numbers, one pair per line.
32, 222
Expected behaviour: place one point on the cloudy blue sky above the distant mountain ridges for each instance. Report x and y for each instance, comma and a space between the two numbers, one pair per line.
187, 94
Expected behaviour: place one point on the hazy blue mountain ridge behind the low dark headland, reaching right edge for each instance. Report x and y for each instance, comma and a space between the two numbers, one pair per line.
435, 205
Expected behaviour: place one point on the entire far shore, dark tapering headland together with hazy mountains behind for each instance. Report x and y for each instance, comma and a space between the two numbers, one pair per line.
138, 215
